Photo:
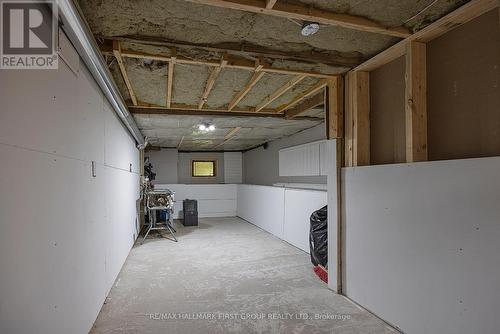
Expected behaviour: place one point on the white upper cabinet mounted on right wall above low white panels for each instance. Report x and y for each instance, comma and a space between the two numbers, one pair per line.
303, 160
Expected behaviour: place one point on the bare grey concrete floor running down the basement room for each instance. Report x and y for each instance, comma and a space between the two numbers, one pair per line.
226, 268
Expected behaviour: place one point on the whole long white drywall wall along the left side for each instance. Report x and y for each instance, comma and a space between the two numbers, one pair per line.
64, 234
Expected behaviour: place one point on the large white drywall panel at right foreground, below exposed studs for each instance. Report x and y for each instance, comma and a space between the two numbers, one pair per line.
422, 246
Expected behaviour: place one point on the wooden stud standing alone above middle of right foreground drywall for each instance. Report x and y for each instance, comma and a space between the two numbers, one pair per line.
416, 102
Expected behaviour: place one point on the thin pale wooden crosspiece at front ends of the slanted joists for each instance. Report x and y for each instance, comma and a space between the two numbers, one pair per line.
232, 62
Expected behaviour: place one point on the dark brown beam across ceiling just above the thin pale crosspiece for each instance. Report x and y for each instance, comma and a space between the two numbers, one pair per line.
327, 57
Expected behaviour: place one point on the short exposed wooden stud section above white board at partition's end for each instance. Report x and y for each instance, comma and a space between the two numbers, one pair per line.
334, 111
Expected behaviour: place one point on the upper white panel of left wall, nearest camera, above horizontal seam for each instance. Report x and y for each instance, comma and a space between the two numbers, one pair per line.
31, 109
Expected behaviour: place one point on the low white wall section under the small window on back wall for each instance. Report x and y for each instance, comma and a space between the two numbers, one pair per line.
214, 200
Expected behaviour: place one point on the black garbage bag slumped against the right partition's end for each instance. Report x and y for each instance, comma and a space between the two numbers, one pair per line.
318, 237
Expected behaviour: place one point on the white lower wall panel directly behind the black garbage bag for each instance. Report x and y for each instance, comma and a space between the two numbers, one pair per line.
299, 205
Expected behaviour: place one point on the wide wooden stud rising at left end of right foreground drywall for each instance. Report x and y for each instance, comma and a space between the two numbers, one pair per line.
358, 119
